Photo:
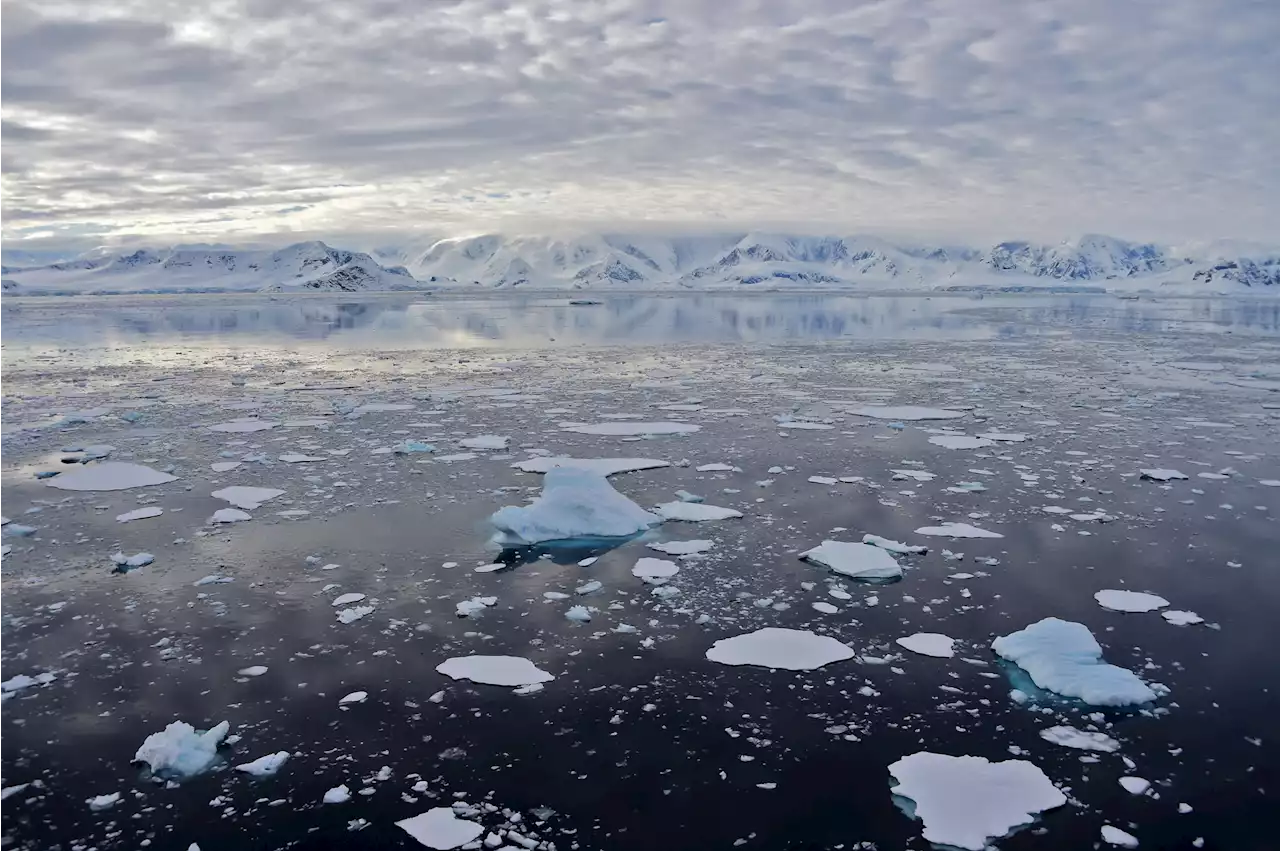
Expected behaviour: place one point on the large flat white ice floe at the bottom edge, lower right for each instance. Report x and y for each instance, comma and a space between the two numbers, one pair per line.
966, 802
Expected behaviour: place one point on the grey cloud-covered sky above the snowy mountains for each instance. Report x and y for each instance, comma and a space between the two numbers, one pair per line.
961, 118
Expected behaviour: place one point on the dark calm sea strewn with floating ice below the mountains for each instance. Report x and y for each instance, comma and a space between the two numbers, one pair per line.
756, 571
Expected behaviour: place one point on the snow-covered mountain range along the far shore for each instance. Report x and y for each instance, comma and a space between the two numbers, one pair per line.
601, 262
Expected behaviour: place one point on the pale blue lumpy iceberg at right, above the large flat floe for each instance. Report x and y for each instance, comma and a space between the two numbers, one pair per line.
1064, 657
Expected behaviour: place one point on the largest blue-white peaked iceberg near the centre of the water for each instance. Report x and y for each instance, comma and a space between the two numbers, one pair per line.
574, 504
